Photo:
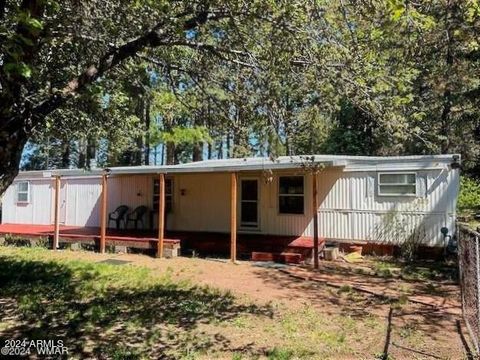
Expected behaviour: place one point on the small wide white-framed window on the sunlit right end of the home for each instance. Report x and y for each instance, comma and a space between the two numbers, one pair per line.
397, 184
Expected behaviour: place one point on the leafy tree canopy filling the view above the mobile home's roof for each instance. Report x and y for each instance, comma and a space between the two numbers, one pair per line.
108, 81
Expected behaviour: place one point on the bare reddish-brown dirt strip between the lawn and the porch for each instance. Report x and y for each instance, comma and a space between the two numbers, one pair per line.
420, 328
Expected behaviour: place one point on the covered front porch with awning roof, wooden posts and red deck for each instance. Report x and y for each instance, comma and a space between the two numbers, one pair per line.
249, 209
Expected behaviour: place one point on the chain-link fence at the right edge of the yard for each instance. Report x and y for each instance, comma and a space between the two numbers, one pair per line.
469, 263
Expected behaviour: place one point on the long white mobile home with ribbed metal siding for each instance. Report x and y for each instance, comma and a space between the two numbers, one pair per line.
368, 200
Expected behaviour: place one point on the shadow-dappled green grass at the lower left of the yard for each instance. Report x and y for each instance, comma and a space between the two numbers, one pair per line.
84, 305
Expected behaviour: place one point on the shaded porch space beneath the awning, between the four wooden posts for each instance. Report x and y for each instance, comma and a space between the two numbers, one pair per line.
208, 214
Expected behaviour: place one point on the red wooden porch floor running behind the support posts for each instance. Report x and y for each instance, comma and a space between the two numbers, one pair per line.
292, 249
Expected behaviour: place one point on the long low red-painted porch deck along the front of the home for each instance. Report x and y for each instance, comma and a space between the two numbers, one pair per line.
202, 243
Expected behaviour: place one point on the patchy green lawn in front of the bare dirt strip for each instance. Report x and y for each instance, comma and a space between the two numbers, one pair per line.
129, 312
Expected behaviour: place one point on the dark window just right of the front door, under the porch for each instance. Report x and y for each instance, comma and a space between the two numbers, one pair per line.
290, 195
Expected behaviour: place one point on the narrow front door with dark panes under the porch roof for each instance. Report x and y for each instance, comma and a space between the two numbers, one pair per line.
249, 203
